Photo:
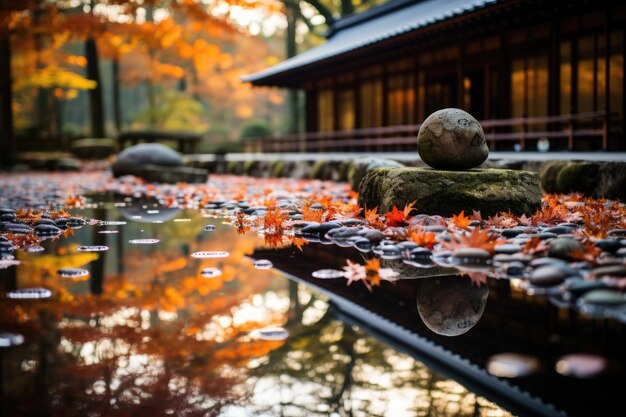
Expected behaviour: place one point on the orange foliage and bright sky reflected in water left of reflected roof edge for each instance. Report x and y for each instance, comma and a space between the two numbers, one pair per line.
149, 334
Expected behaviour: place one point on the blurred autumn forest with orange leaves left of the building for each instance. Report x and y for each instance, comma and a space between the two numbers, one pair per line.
72, 69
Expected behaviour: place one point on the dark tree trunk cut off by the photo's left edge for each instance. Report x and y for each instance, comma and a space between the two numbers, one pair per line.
7, 138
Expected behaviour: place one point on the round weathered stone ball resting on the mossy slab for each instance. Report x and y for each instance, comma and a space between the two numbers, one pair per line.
452, 139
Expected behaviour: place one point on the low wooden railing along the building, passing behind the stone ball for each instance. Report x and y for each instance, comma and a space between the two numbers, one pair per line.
592, 125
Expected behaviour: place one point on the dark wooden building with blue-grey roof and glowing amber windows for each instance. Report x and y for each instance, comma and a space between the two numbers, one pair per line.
508, 62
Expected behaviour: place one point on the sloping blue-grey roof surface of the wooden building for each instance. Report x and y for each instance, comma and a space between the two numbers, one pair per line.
336, 46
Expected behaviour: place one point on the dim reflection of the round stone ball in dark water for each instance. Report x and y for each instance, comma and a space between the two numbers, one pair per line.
450, 305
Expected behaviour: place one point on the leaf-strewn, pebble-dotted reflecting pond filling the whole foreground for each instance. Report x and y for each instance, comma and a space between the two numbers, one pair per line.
246, 297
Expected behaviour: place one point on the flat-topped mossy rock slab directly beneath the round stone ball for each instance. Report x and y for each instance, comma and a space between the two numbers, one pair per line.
445, 193
